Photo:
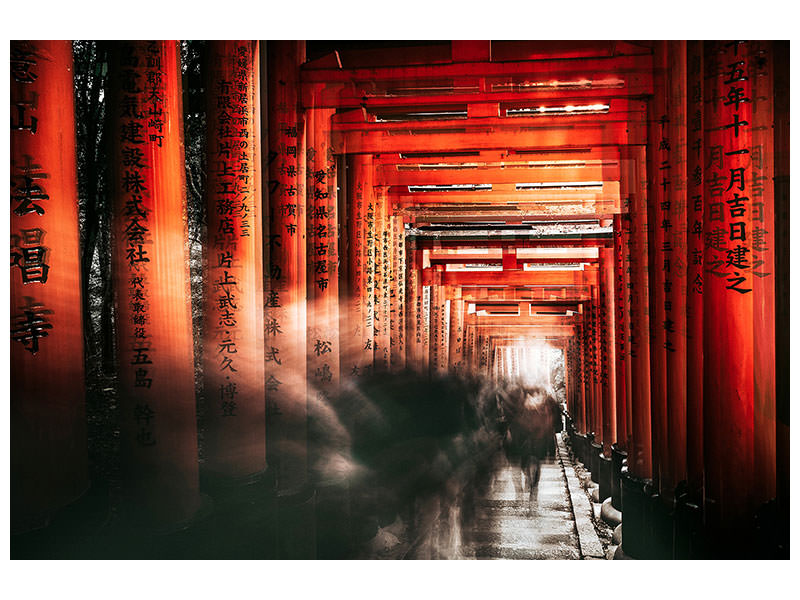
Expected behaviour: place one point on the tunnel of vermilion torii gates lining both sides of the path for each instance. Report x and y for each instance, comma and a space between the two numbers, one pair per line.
450, 207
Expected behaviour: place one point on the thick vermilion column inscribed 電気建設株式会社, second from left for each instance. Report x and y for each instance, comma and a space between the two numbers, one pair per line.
151, 281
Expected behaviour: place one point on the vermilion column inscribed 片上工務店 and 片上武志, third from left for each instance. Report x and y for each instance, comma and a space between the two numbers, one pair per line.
233, 348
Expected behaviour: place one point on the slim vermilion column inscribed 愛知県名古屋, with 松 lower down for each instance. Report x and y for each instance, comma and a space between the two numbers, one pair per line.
323, 259
